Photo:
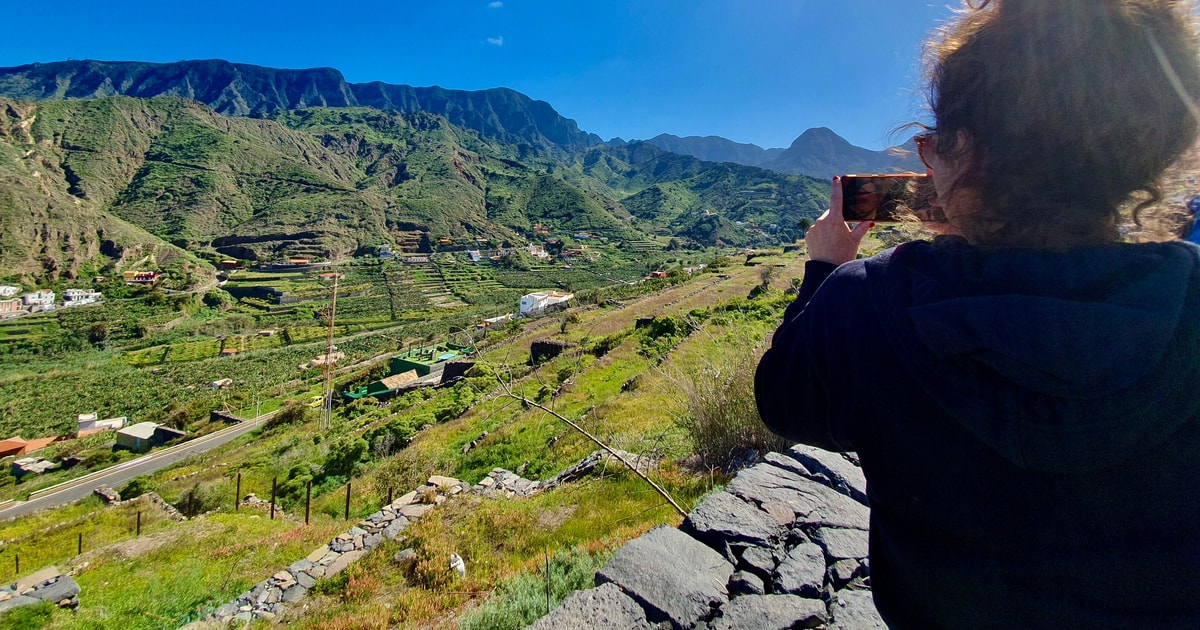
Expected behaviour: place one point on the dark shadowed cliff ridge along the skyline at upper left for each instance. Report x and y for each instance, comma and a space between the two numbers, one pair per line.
247, 91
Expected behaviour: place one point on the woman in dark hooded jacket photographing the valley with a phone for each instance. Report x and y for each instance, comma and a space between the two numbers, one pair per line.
1022, 392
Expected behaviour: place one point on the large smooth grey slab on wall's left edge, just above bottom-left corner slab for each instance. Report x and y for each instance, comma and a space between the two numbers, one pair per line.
674, 577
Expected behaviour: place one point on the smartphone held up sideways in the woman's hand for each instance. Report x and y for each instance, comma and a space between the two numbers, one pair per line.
890, 199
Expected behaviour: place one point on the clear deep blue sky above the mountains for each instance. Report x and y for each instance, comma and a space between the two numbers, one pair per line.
758, 71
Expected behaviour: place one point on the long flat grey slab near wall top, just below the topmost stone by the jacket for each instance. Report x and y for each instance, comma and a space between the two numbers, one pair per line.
813, 503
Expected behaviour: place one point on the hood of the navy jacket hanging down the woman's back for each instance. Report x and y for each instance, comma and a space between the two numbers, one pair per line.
1061, 362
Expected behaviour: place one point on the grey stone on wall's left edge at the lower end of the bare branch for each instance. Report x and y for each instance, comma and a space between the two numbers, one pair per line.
724, 519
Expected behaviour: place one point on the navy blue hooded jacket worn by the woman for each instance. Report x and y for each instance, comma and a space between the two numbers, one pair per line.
1029, 424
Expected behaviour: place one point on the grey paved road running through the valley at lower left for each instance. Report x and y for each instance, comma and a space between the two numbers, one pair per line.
119, 475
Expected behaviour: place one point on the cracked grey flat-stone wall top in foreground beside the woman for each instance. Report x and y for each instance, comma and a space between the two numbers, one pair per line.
784, 545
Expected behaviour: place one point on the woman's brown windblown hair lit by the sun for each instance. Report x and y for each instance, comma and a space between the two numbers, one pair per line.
1069, 107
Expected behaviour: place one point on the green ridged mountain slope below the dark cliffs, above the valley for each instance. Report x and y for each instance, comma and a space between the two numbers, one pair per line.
100, 183
